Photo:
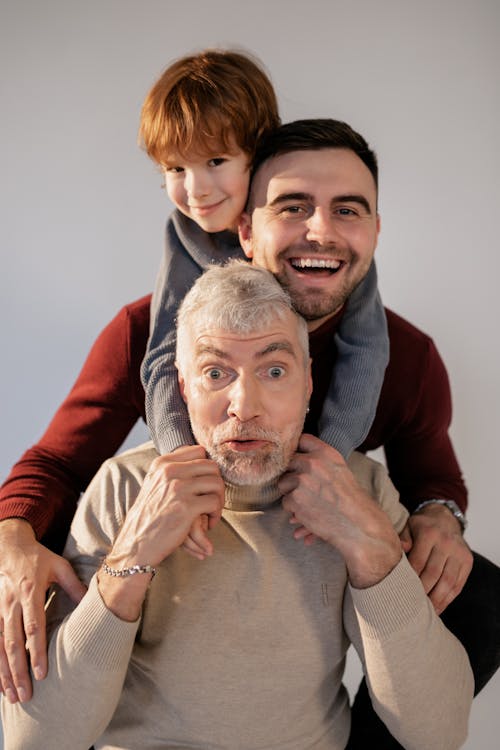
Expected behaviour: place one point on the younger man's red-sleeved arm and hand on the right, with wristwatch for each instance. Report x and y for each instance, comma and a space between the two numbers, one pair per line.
416, 404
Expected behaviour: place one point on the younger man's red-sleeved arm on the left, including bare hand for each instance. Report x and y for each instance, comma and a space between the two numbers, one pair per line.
43, 487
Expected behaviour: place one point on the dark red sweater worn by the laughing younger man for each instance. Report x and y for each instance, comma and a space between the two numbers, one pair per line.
107, 399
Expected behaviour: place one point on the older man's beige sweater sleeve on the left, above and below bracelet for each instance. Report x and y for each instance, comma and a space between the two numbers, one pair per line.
89, 649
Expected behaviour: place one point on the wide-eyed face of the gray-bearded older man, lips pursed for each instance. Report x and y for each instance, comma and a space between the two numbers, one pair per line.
247, 397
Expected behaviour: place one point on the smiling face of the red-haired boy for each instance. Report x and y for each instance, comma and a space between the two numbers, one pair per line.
210, 189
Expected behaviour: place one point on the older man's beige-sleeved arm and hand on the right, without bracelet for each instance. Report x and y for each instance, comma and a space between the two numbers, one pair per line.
407, 653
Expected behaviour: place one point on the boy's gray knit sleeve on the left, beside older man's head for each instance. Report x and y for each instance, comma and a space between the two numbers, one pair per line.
166, 412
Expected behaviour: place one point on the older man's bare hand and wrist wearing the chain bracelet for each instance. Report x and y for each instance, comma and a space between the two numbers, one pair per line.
178, 489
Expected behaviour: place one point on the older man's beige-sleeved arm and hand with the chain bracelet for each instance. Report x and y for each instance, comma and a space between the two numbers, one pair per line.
90, 649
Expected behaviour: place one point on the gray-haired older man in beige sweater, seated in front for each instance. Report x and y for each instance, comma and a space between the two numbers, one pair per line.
245, 648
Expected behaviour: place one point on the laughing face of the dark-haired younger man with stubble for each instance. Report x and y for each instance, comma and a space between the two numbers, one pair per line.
313, 223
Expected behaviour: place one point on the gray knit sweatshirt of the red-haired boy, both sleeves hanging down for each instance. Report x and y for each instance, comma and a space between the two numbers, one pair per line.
362, 345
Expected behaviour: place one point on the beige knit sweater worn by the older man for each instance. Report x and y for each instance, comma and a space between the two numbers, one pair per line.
245, 650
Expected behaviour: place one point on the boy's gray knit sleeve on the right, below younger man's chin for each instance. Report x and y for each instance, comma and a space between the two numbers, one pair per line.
362, 344
